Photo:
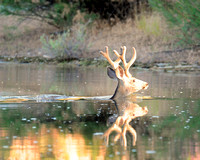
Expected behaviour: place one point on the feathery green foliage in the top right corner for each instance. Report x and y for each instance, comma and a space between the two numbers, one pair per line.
184, 15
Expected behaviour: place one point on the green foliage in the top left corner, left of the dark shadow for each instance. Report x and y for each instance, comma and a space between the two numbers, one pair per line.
58, 14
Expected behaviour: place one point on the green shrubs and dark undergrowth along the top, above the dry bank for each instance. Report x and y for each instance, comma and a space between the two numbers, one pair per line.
61, 13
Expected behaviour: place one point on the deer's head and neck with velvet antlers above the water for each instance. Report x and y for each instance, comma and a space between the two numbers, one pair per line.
127, 84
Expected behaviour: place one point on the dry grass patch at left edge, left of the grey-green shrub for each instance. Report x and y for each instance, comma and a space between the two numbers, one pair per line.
21, 37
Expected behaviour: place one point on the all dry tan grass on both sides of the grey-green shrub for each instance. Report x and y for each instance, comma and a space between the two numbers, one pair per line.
148, 34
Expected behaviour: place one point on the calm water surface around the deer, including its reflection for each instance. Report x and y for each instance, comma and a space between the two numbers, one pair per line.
166, 126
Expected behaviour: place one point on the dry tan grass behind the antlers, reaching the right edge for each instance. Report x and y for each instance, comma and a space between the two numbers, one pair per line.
149, 34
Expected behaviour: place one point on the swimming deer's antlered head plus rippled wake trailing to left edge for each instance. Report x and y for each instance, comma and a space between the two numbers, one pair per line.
127, 84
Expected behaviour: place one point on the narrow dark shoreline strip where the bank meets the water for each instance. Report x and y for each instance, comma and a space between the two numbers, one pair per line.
97, 62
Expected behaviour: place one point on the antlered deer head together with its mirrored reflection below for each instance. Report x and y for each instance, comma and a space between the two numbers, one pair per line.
127, 85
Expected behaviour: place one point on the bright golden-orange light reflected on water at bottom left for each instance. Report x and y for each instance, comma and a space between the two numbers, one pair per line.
59, 145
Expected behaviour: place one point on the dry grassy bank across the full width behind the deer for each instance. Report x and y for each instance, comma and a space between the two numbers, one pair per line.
153, 39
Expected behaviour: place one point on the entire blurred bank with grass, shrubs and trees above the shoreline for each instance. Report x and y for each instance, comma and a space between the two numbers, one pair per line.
162, 31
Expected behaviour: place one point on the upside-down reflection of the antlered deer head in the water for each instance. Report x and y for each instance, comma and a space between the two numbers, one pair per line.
128, 110
